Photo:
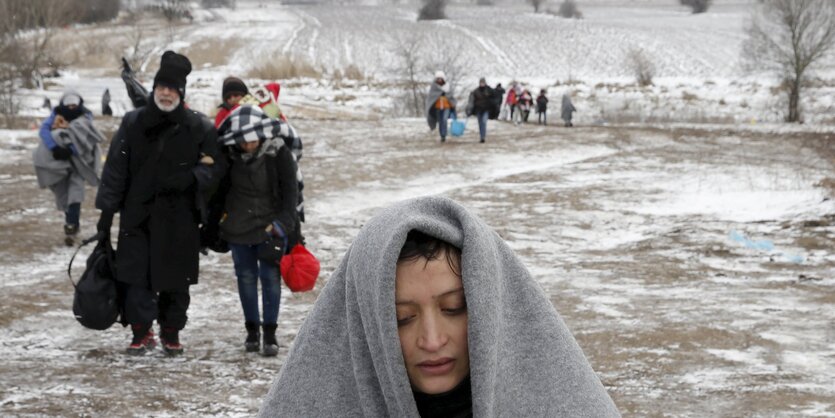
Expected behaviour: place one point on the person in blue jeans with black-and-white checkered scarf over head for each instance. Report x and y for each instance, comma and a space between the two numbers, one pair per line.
254, 211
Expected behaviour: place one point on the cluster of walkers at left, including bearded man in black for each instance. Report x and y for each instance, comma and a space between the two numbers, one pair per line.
182, 184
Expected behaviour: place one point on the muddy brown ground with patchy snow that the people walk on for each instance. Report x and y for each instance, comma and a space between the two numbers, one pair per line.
627, 229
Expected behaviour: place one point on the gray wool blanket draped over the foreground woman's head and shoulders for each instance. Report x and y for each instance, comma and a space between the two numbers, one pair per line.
346, 360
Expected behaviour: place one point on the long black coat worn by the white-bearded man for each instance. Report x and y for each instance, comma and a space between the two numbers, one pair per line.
157, 168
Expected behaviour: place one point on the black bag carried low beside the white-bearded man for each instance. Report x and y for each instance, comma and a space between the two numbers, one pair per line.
97, 302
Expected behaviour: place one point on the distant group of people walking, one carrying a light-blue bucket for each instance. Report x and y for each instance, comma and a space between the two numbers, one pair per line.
487, 103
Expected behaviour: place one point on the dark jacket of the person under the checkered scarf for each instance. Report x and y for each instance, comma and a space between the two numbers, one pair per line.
254, 193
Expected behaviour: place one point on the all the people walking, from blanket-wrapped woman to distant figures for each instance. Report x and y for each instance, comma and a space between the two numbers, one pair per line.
415, 320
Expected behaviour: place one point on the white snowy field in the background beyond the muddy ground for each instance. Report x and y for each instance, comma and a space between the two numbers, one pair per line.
699, 76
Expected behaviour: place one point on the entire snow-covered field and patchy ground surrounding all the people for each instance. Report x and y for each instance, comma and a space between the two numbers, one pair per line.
642, 225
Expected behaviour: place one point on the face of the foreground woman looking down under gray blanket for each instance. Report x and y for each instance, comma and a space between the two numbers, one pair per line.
432, 323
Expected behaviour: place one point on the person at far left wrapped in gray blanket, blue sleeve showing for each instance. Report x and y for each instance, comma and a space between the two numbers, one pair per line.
68, 156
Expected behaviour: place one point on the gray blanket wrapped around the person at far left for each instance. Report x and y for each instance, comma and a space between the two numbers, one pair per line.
84, 136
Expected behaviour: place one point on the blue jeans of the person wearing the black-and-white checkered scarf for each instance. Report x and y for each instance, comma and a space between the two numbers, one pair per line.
249, 269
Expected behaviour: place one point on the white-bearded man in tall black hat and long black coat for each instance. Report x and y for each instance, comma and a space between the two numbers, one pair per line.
160, 162
